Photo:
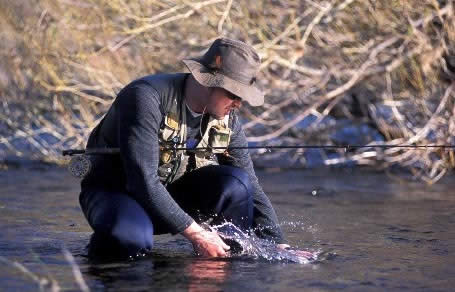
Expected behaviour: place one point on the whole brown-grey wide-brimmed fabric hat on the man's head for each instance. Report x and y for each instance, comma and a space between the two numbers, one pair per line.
232, 65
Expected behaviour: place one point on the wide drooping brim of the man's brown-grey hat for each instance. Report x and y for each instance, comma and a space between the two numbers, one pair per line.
208, 78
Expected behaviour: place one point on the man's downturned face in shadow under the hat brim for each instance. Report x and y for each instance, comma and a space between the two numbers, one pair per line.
221, 102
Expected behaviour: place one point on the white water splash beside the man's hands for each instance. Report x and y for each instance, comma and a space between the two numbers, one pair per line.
251, 246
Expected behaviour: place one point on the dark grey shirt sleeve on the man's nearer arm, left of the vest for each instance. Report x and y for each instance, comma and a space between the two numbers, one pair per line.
139, 118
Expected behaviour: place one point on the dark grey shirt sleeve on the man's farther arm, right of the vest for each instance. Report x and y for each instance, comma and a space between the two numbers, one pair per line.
265, 221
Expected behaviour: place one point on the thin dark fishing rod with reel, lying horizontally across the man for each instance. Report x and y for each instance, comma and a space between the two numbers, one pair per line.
95, 151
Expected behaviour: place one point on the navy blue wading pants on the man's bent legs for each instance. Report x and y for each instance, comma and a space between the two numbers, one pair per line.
123, 228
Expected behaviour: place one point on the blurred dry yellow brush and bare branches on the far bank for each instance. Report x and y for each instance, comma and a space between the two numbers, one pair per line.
335, 72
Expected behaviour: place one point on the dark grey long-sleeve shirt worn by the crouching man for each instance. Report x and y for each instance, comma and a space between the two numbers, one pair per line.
132, 124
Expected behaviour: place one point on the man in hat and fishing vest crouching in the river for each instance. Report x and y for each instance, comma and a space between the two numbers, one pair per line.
152, 189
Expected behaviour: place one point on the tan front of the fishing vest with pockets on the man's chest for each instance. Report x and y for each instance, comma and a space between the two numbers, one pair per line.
174, 163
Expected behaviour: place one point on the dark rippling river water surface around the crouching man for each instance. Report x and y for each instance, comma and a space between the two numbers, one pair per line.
379, 234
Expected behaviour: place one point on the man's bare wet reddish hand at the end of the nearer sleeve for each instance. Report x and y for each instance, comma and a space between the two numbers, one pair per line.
205, 243
